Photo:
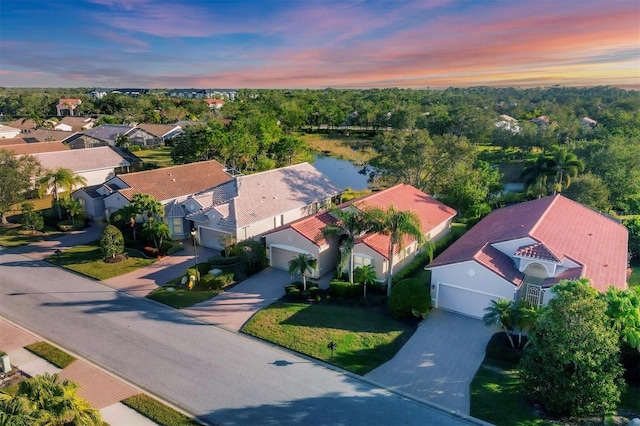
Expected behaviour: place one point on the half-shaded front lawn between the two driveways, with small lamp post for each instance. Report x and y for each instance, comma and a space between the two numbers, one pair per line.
366, 338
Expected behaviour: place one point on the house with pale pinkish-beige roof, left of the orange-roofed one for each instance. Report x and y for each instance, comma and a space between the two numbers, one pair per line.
250, 205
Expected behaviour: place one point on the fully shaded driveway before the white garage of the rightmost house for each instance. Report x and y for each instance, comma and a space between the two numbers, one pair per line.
439, 361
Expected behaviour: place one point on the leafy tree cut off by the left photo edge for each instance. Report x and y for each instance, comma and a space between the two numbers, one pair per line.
16, 176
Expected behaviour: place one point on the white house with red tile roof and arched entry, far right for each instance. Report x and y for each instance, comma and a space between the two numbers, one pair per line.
521, 251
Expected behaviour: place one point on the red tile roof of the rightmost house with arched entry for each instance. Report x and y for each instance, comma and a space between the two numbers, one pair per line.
567, 229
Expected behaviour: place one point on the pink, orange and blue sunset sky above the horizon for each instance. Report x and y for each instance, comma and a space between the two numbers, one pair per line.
318, 44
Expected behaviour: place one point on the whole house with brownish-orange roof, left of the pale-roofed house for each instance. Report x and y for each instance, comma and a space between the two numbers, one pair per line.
167, 185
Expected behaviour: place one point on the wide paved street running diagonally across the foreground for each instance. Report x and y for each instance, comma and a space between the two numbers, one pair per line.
217, 375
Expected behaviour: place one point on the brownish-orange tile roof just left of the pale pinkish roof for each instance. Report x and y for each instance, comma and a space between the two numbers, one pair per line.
176, 181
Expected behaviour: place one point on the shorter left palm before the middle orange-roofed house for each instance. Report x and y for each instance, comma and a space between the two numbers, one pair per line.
351, 223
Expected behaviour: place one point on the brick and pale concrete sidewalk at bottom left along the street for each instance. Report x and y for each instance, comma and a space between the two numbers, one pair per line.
103, 390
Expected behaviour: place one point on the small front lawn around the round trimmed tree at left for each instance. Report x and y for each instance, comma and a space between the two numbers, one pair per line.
88, 260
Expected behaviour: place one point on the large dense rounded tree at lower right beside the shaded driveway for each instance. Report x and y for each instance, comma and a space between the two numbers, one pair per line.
572, 365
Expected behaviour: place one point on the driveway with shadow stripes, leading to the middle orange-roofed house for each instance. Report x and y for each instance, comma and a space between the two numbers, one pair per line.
232, 308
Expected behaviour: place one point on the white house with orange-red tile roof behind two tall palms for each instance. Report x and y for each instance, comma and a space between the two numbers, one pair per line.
305, 235
